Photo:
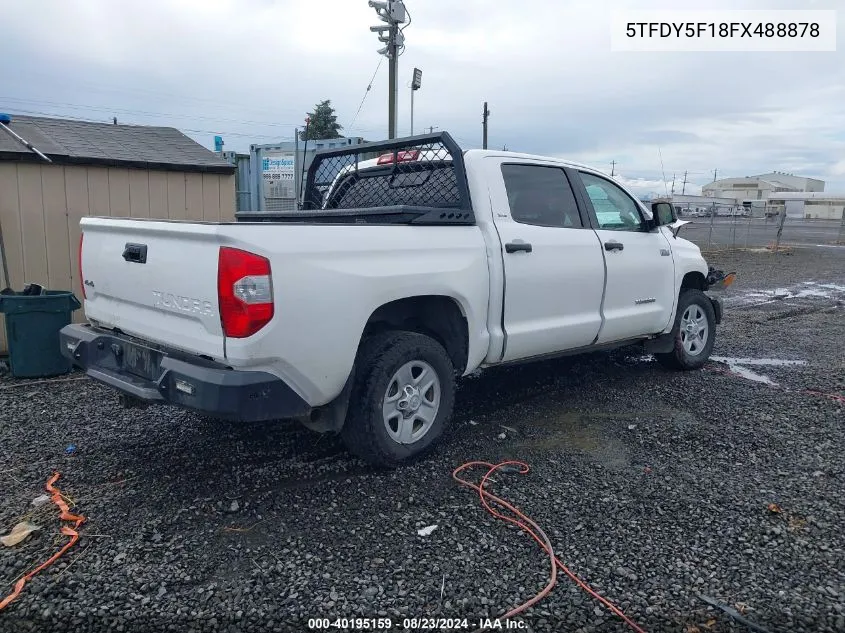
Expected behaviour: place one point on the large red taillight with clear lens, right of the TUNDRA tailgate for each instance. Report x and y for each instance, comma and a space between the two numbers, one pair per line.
244, 292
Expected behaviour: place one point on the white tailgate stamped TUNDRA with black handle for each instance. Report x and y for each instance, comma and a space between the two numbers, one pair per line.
156, 280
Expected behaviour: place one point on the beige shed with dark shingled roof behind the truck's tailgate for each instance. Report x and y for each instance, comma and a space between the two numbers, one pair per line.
97, 169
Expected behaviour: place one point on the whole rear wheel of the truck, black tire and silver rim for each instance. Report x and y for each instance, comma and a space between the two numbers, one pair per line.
403, 396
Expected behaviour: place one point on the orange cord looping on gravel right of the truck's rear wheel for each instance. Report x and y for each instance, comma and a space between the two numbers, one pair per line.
529, 526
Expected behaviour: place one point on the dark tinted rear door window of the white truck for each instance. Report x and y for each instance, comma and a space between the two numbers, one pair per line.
541, 196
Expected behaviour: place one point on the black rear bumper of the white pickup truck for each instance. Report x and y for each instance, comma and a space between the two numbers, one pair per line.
185, 381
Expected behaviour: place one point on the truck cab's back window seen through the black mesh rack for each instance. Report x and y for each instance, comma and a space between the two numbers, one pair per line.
427, 185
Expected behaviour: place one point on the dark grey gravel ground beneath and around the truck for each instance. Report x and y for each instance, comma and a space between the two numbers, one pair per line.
653, 486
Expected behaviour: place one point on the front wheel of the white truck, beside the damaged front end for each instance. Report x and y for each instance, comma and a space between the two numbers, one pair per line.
694, 333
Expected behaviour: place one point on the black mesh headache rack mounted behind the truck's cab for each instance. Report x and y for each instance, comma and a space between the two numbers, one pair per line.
413, 180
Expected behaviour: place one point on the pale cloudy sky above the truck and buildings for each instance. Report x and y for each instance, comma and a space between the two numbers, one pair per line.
250, 70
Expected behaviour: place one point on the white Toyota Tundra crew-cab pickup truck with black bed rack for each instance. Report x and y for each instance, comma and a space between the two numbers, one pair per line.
410, 263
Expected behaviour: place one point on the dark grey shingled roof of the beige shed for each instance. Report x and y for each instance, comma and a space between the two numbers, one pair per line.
68, 141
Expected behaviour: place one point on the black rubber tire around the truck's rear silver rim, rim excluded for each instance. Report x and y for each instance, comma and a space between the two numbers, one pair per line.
365, 432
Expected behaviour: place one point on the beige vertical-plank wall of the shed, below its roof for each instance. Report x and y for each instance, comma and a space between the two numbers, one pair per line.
41, 206
